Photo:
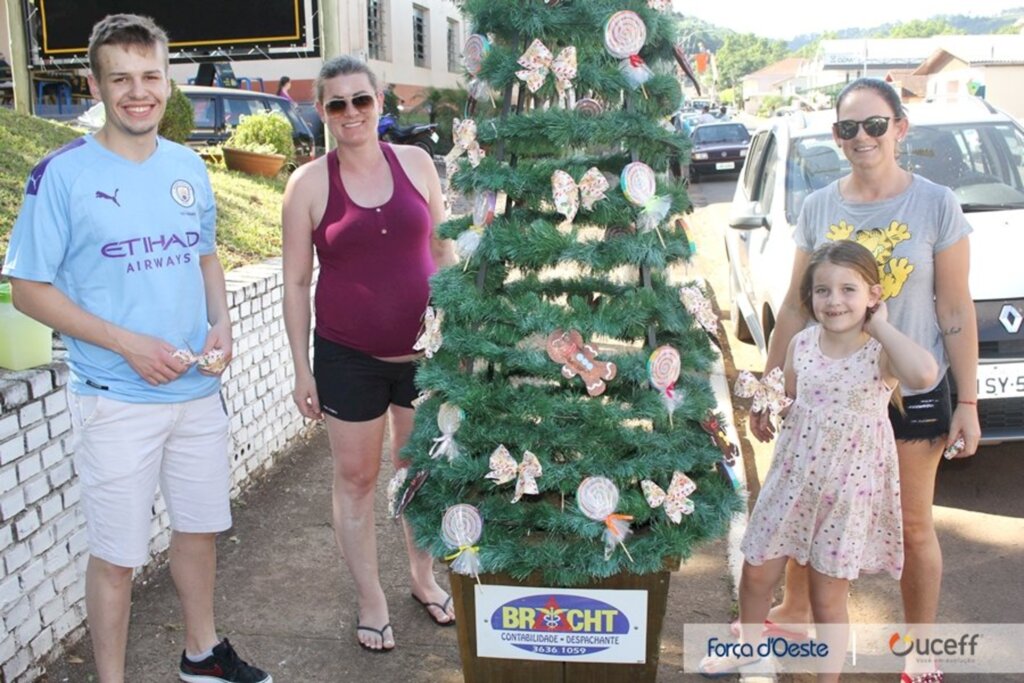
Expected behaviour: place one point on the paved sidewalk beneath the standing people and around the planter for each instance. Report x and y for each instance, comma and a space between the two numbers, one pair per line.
285, 600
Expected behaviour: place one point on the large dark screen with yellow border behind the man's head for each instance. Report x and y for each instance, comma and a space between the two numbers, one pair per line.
192, 25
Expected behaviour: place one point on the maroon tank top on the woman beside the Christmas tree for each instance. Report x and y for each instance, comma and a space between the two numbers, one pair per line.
374, 266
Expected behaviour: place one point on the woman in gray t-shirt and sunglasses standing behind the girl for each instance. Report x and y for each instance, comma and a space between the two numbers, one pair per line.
920, 237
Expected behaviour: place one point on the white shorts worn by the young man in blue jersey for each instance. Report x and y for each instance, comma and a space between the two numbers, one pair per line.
121, 452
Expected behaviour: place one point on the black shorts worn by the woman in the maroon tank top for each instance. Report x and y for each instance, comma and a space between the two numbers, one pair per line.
357, 388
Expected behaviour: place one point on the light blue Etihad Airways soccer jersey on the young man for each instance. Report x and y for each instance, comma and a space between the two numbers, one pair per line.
122, 240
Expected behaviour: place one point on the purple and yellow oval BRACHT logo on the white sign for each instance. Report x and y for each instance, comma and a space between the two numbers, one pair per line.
560, 625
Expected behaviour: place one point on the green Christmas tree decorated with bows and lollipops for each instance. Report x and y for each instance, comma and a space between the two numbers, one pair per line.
567, 383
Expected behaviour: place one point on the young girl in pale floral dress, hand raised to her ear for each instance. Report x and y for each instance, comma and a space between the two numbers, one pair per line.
831, 499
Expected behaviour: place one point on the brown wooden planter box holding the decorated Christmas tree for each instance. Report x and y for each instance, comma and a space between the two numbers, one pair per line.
491, 670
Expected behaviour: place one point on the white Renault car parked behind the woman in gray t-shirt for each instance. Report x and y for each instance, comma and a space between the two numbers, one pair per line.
970, 147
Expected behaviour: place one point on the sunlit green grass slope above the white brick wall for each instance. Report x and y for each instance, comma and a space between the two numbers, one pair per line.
248, 208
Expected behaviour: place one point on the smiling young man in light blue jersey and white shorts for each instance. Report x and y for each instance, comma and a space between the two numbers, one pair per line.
115, 249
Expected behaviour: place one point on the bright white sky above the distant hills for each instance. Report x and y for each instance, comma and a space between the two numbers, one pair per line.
788, 19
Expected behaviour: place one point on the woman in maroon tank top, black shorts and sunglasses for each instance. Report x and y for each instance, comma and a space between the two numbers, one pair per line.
369, 212
